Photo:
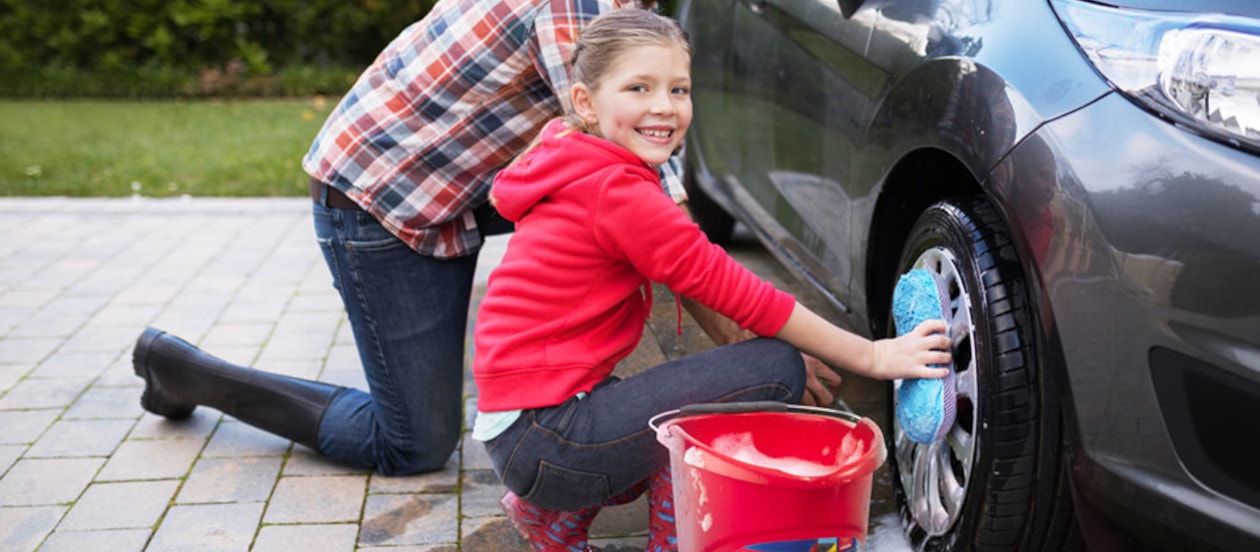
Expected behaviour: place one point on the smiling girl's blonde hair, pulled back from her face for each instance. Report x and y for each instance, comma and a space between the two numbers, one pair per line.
612, 35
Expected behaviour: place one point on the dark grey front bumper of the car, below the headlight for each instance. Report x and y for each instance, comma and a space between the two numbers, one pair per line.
1148, 254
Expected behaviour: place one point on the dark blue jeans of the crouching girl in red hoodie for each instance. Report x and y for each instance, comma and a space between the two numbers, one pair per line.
585, 451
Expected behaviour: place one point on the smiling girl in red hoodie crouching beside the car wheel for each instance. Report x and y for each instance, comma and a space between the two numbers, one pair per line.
574, 290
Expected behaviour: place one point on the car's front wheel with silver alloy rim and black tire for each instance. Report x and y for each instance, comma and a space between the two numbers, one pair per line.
997, 482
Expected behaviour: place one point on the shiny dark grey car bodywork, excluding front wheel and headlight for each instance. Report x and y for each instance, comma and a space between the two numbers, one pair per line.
815, 120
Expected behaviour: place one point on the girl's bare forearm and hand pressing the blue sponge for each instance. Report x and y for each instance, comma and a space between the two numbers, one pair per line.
904, 357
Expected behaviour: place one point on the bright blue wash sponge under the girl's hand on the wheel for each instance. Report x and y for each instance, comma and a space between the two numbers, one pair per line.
925, 408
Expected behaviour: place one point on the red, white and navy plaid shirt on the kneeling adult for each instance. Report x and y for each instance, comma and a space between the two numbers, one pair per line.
421, 134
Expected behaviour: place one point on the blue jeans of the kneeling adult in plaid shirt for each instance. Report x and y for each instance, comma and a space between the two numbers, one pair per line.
409, 314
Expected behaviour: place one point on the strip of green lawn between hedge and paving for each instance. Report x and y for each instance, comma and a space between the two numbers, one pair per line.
157, 149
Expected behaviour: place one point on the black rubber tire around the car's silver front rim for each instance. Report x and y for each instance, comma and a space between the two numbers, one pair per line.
1016, 512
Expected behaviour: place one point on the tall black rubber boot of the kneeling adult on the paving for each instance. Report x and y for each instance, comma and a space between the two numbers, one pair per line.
180, 377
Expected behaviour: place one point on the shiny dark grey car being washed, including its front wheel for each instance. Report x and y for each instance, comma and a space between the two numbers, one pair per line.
1087, 178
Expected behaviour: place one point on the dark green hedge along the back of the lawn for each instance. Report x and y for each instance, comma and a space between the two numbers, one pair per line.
193, 49
